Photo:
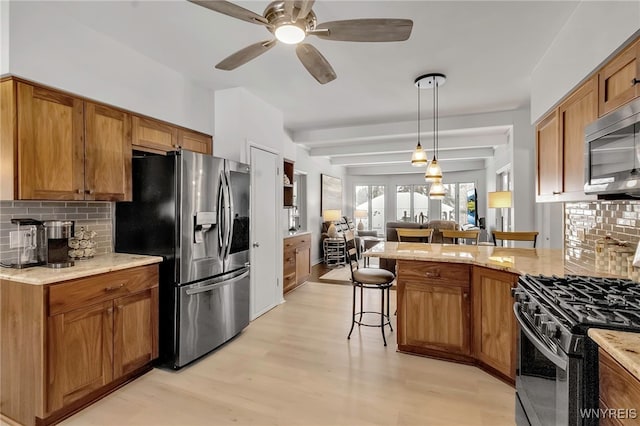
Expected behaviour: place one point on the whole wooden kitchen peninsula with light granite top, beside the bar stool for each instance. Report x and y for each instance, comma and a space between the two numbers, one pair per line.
454, 301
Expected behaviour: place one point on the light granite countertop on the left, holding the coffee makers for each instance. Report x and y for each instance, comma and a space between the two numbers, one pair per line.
100, 264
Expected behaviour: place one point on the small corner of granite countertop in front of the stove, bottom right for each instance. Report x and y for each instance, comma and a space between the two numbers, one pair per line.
623, 346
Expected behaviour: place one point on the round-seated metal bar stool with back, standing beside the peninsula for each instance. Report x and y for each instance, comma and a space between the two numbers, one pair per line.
367, 278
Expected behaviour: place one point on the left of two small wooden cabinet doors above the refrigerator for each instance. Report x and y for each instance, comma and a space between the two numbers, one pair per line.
153, 135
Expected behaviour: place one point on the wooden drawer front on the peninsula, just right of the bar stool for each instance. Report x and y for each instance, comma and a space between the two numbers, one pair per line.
434, 273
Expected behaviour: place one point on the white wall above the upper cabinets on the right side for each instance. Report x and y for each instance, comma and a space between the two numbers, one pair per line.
592, 33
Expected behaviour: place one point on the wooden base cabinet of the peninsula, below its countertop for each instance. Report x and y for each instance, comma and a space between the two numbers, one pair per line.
458, 312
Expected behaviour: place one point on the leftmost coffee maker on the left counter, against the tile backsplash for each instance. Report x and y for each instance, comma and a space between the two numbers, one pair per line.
30, 242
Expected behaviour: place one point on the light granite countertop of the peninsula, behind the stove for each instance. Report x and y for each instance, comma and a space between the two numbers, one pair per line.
534, 261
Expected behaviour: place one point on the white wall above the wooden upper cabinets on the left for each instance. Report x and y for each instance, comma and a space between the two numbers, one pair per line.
49, 47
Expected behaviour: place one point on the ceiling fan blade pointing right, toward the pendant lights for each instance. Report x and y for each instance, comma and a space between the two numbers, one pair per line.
372, 30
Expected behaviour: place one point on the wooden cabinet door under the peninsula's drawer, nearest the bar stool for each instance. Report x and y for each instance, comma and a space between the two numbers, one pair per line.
434, 317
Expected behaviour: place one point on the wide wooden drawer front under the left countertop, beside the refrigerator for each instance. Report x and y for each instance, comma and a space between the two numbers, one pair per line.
99, 288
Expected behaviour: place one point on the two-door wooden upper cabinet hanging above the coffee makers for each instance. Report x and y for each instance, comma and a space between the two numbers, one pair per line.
63, 148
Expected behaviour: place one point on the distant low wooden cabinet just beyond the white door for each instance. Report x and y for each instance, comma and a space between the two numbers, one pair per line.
296, 261
